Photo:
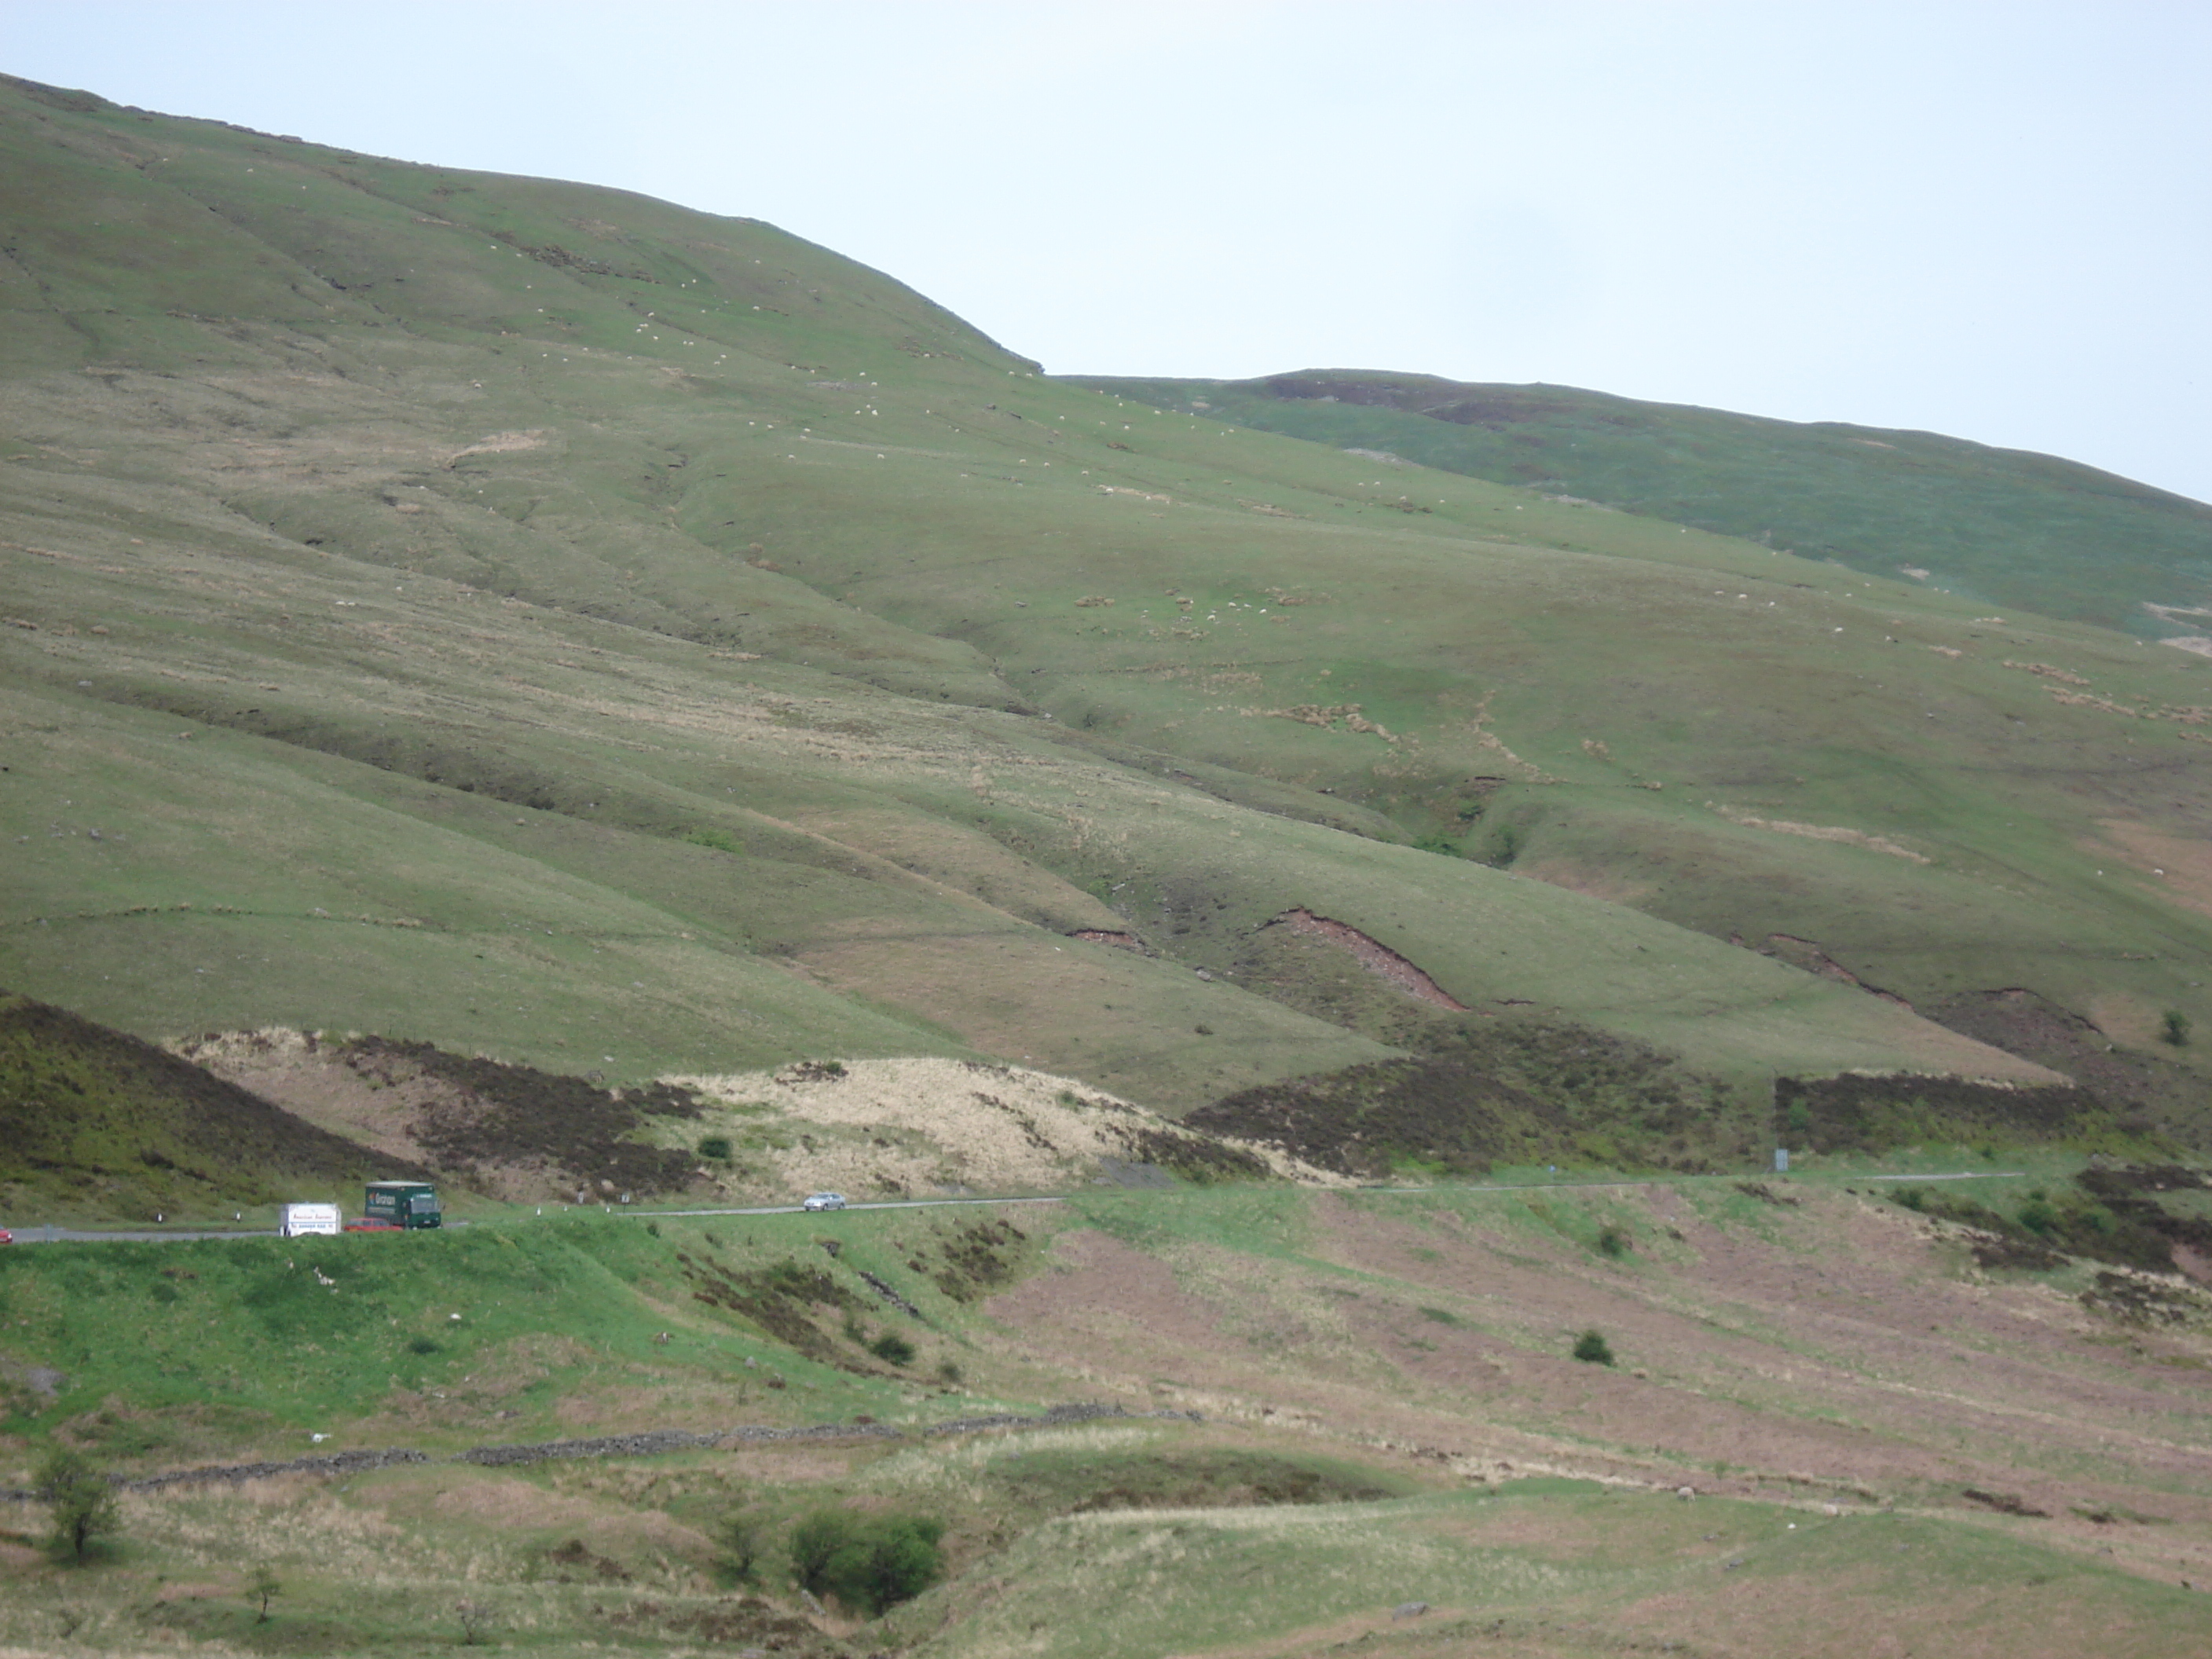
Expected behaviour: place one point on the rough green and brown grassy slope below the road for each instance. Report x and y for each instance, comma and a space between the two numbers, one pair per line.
1775, 1355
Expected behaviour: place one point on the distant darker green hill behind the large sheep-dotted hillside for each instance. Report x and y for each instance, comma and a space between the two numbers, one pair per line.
2007, 528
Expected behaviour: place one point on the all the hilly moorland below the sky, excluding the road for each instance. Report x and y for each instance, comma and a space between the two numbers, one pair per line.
623, 711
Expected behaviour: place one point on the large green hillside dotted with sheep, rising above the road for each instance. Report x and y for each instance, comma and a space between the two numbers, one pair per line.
565, 627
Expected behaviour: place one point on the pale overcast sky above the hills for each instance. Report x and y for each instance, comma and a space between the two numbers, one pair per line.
1987, 220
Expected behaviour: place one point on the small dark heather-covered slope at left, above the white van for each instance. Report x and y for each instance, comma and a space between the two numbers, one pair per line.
105, 1120
